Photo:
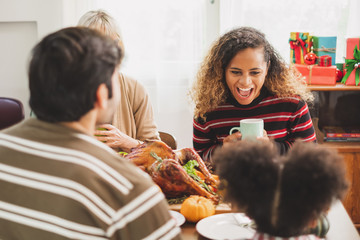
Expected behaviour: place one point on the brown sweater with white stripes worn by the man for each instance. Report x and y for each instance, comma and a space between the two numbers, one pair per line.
57, 183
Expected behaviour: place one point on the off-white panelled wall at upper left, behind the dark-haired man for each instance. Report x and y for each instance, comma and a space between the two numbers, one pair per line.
22, 24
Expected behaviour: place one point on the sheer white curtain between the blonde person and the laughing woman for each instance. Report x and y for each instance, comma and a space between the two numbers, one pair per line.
163, 46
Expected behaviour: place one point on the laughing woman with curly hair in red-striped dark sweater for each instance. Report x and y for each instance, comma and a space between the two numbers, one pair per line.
244, 77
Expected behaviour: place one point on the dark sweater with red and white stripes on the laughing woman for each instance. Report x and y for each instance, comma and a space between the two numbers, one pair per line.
285, 120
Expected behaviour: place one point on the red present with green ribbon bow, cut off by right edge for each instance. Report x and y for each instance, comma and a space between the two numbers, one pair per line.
352, 62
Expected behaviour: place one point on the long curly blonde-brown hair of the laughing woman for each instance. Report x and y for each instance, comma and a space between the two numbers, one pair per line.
210, 89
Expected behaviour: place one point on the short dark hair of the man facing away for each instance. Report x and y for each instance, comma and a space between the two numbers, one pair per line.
66, 69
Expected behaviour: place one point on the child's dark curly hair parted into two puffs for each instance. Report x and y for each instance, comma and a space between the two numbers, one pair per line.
281, 193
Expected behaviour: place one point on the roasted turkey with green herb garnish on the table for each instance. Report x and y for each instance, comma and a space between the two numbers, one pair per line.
175, 171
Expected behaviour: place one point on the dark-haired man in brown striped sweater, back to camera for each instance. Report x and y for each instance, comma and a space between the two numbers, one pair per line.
57, 181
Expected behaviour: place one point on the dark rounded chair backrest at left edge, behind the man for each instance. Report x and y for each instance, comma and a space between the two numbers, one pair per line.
11, 112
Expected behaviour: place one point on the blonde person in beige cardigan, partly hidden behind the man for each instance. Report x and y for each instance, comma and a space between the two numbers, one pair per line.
134, 120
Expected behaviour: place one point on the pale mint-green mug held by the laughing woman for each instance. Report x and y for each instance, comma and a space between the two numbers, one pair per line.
250, 128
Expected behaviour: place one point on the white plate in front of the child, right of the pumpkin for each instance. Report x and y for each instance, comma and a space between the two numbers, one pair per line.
224, 226
